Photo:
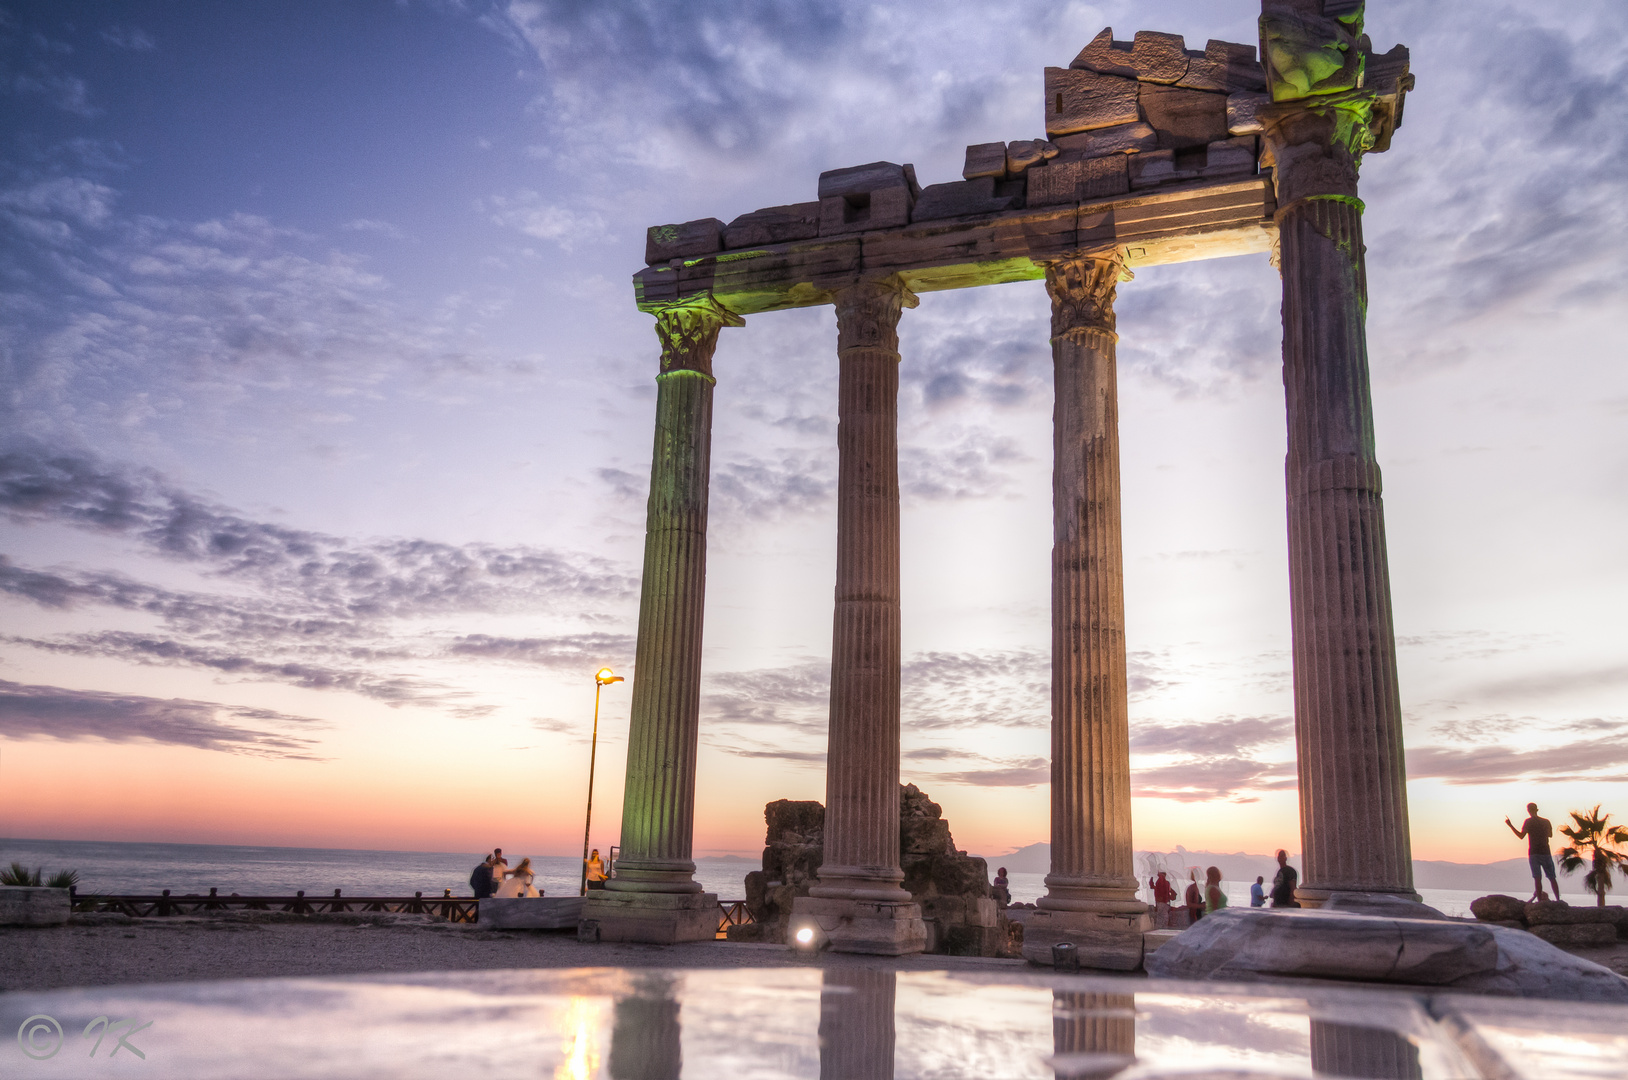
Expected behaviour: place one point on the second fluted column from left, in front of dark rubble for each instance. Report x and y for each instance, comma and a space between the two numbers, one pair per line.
859, 900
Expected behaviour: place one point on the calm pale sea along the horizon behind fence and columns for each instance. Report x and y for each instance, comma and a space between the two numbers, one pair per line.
151, 869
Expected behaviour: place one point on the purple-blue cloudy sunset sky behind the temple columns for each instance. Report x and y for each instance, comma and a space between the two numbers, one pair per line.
328, 416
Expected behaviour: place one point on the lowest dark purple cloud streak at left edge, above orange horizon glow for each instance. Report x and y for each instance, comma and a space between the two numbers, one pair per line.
66, 714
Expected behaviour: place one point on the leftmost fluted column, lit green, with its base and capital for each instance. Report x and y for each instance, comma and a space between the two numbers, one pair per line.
654, 895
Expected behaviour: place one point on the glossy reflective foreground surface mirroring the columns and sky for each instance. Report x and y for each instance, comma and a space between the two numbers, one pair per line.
846, 1022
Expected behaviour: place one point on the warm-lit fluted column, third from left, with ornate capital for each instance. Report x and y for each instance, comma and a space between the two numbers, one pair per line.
1092, 892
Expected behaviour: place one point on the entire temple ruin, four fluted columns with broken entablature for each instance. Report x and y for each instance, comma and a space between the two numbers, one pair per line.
1152, 154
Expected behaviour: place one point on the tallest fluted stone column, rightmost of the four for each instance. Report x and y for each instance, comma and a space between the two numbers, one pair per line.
1347, 705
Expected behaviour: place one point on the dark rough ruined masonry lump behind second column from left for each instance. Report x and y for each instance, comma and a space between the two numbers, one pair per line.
952, 887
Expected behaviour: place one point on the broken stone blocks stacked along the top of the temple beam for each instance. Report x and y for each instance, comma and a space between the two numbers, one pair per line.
1124, 116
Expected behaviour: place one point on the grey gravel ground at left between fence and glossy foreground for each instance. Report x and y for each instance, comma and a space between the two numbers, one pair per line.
108, 950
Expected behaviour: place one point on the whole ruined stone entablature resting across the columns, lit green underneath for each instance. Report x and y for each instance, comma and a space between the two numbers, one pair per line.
1150, 147
